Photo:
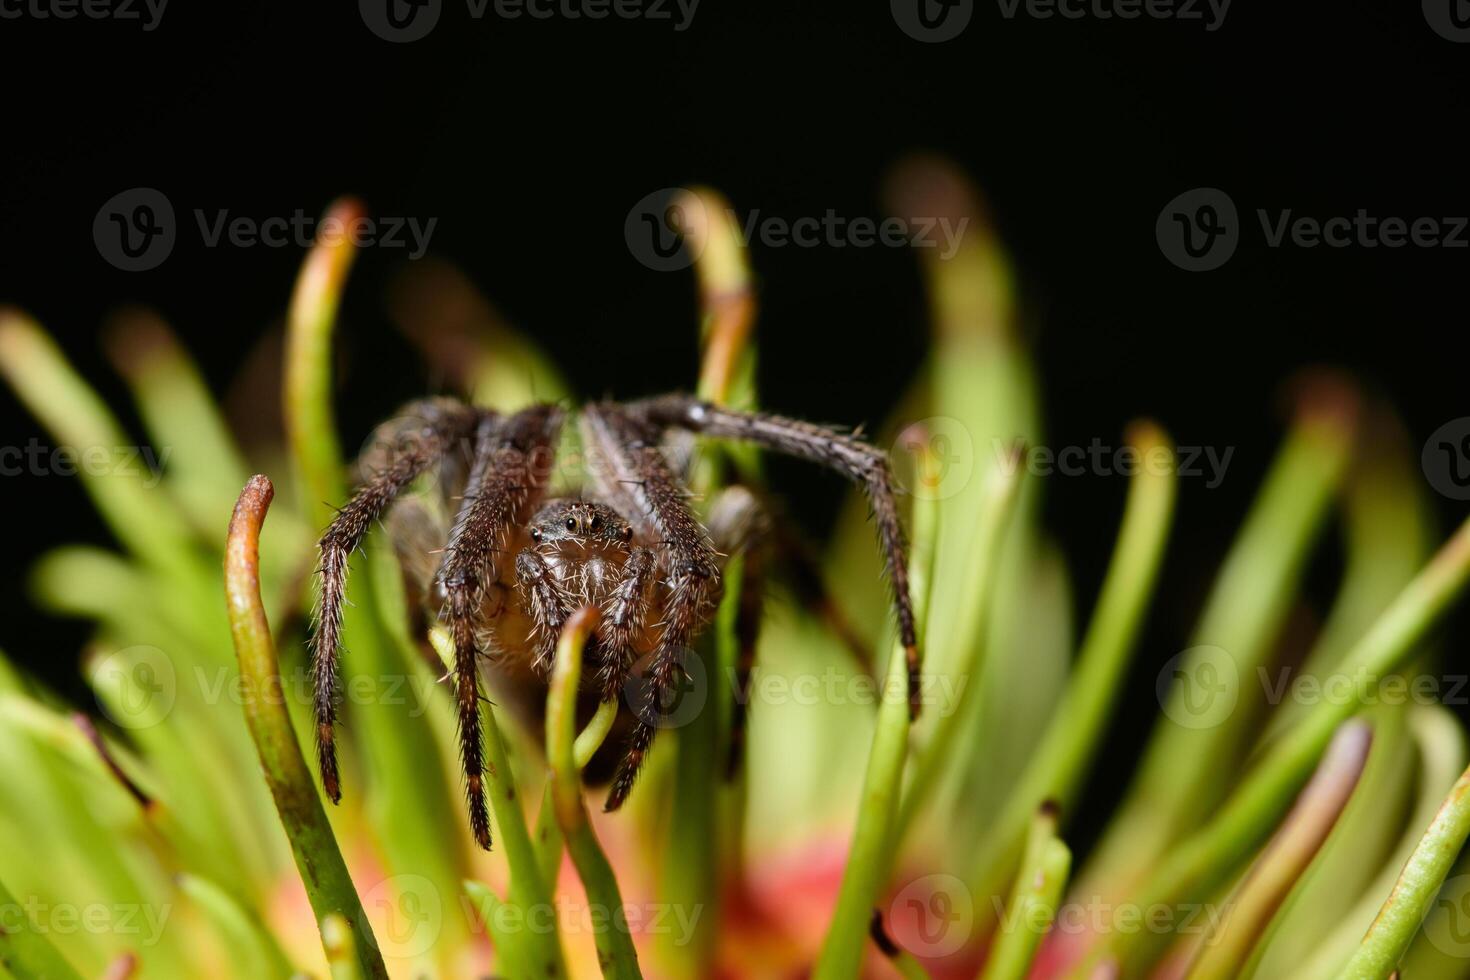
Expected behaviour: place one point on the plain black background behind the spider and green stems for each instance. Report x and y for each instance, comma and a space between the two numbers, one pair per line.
530, 142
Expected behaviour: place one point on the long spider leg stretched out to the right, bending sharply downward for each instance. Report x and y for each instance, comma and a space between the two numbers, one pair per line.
843, 453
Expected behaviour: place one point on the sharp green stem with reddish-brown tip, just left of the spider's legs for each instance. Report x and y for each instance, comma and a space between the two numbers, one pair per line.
329, 887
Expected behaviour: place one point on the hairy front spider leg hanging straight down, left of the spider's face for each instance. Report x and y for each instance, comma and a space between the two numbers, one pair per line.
512, 465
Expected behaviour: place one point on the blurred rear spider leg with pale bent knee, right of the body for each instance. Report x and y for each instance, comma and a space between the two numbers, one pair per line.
740, 525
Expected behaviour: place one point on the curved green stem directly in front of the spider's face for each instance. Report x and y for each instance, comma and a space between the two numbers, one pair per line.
615, 947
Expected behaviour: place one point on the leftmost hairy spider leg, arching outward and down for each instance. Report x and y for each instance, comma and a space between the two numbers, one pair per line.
420, 437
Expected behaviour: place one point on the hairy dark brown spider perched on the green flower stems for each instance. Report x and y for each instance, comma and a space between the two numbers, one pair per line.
515, 563
